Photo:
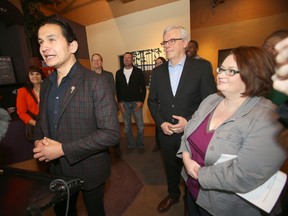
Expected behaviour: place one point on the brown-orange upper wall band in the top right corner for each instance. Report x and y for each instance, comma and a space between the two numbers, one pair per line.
203, 14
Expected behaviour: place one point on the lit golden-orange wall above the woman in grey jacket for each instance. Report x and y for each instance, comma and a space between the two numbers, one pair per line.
248, 32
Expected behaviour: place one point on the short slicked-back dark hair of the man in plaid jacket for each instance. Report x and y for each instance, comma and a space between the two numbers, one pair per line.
67, 31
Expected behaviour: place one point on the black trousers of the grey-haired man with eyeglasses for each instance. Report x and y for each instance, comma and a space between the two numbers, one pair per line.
173, 165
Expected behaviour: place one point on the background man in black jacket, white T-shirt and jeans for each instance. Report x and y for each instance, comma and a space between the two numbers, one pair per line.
131, 92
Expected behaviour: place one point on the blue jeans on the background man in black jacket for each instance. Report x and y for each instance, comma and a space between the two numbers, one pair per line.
127, 118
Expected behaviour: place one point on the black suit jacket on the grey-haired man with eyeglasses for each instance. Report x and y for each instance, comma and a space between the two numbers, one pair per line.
196, 83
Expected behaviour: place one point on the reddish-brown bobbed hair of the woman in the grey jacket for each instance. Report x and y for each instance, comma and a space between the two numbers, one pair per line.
256, 68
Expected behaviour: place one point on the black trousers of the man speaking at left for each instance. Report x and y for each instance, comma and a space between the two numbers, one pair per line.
94, 203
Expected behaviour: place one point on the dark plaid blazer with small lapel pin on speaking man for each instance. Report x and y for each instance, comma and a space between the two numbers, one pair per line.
87, 126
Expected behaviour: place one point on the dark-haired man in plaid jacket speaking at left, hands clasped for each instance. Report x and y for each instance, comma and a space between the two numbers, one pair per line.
77, 120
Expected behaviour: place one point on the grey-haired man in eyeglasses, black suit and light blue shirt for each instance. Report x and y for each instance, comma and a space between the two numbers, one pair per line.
176, 91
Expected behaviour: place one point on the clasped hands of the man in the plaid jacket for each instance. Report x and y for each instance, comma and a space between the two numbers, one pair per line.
47, 149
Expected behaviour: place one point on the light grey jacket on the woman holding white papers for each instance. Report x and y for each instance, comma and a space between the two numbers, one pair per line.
251, 135
